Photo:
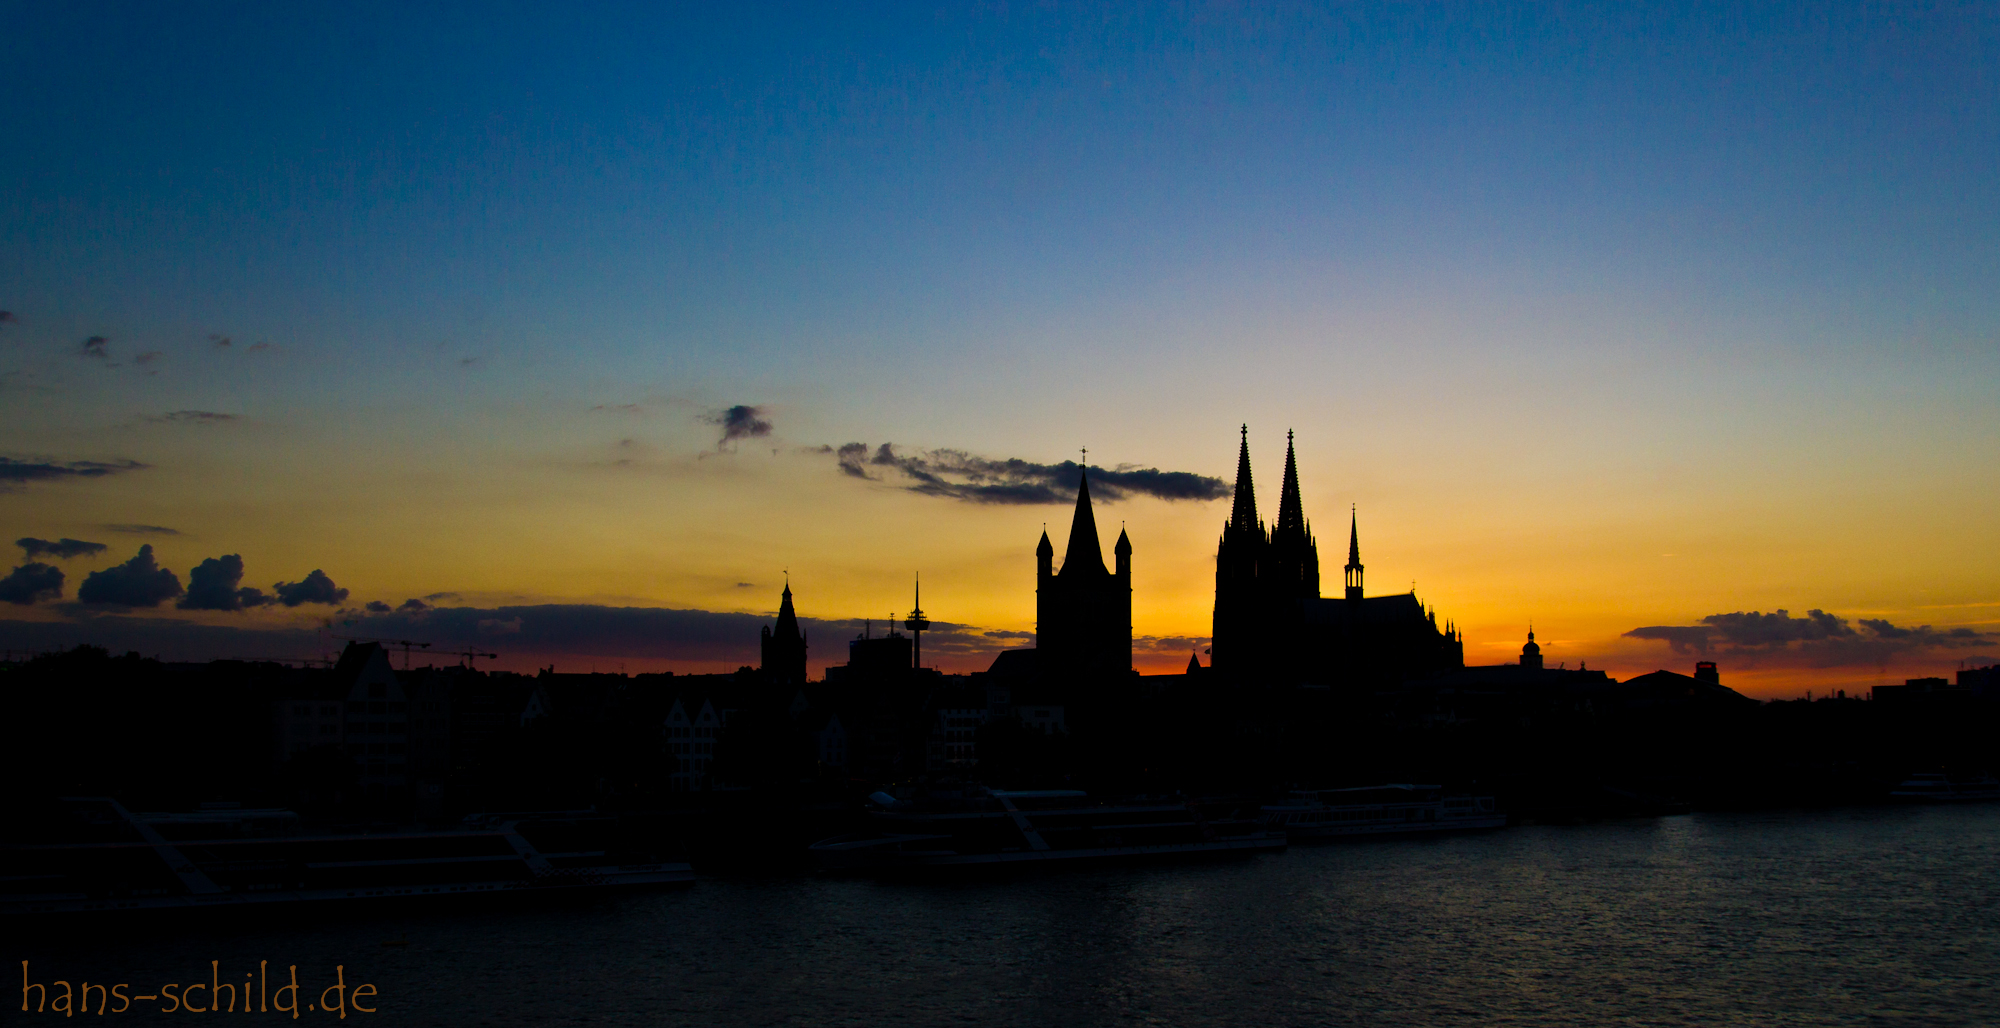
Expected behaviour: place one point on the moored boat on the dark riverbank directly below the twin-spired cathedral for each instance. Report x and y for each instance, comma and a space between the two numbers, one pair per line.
1381, 811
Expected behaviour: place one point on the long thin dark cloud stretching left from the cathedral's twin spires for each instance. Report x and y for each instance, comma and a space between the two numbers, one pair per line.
975, 479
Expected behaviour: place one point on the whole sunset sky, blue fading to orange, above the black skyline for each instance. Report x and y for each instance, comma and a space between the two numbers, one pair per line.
1673, 329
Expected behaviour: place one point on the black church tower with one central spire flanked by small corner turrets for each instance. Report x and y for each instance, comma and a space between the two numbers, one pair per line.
1083, 613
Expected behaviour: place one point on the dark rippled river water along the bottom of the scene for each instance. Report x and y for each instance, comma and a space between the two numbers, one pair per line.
1825, 919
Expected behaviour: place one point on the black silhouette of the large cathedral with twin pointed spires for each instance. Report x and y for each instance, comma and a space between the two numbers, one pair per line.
1275, 629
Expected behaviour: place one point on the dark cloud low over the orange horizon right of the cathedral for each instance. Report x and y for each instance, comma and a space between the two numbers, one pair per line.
1819, 639
